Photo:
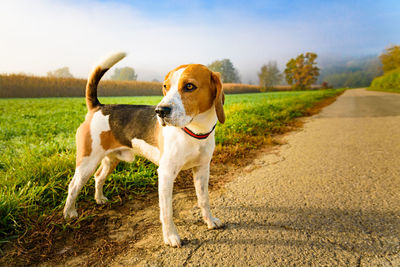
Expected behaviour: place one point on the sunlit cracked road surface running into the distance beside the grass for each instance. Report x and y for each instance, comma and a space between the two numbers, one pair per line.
329, 197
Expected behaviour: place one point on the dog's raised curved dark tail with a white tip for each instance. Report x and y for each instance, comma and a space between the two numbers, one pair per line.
95, 76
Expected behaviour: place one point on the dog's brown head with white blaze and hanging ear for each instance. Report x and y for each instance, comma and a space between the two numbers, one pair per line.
190, 90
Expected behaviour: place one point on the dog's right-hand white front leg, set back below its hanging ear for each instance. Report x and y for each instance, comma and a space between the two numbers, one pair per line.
201, 176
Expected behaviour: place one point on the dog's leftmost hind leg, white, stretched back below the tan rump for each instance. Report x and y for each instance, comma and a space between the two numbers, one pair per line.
81, 176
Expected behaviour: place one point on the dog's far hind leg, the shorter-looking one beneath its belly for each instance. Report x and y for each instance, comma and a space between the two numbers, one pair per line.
107, 166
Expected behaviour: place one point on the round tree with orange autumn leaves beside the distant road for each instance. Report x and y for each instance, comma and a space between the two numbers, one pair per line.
302, 71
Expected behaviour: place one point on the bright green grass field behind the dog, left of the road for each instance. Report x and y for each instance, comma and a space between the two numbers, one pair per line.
37, 147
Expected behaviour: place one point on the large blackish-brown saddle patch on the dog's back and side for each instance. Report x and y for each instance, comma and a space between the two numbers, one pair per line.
132, 121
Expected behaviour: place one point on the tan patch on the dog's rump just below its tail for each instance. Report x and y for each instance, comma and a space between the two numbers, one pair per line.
84, 139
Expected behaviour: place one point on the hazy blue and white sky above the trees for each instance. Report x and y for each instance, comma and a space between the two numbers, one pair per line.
38, 36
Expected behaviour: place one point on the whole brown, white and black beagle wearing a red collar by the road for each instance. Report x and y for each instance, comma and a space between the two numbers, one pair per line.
177, 134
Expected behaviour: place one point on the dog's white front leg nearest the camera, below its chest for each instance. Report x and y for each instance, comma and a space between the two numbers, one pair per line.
166, 178
